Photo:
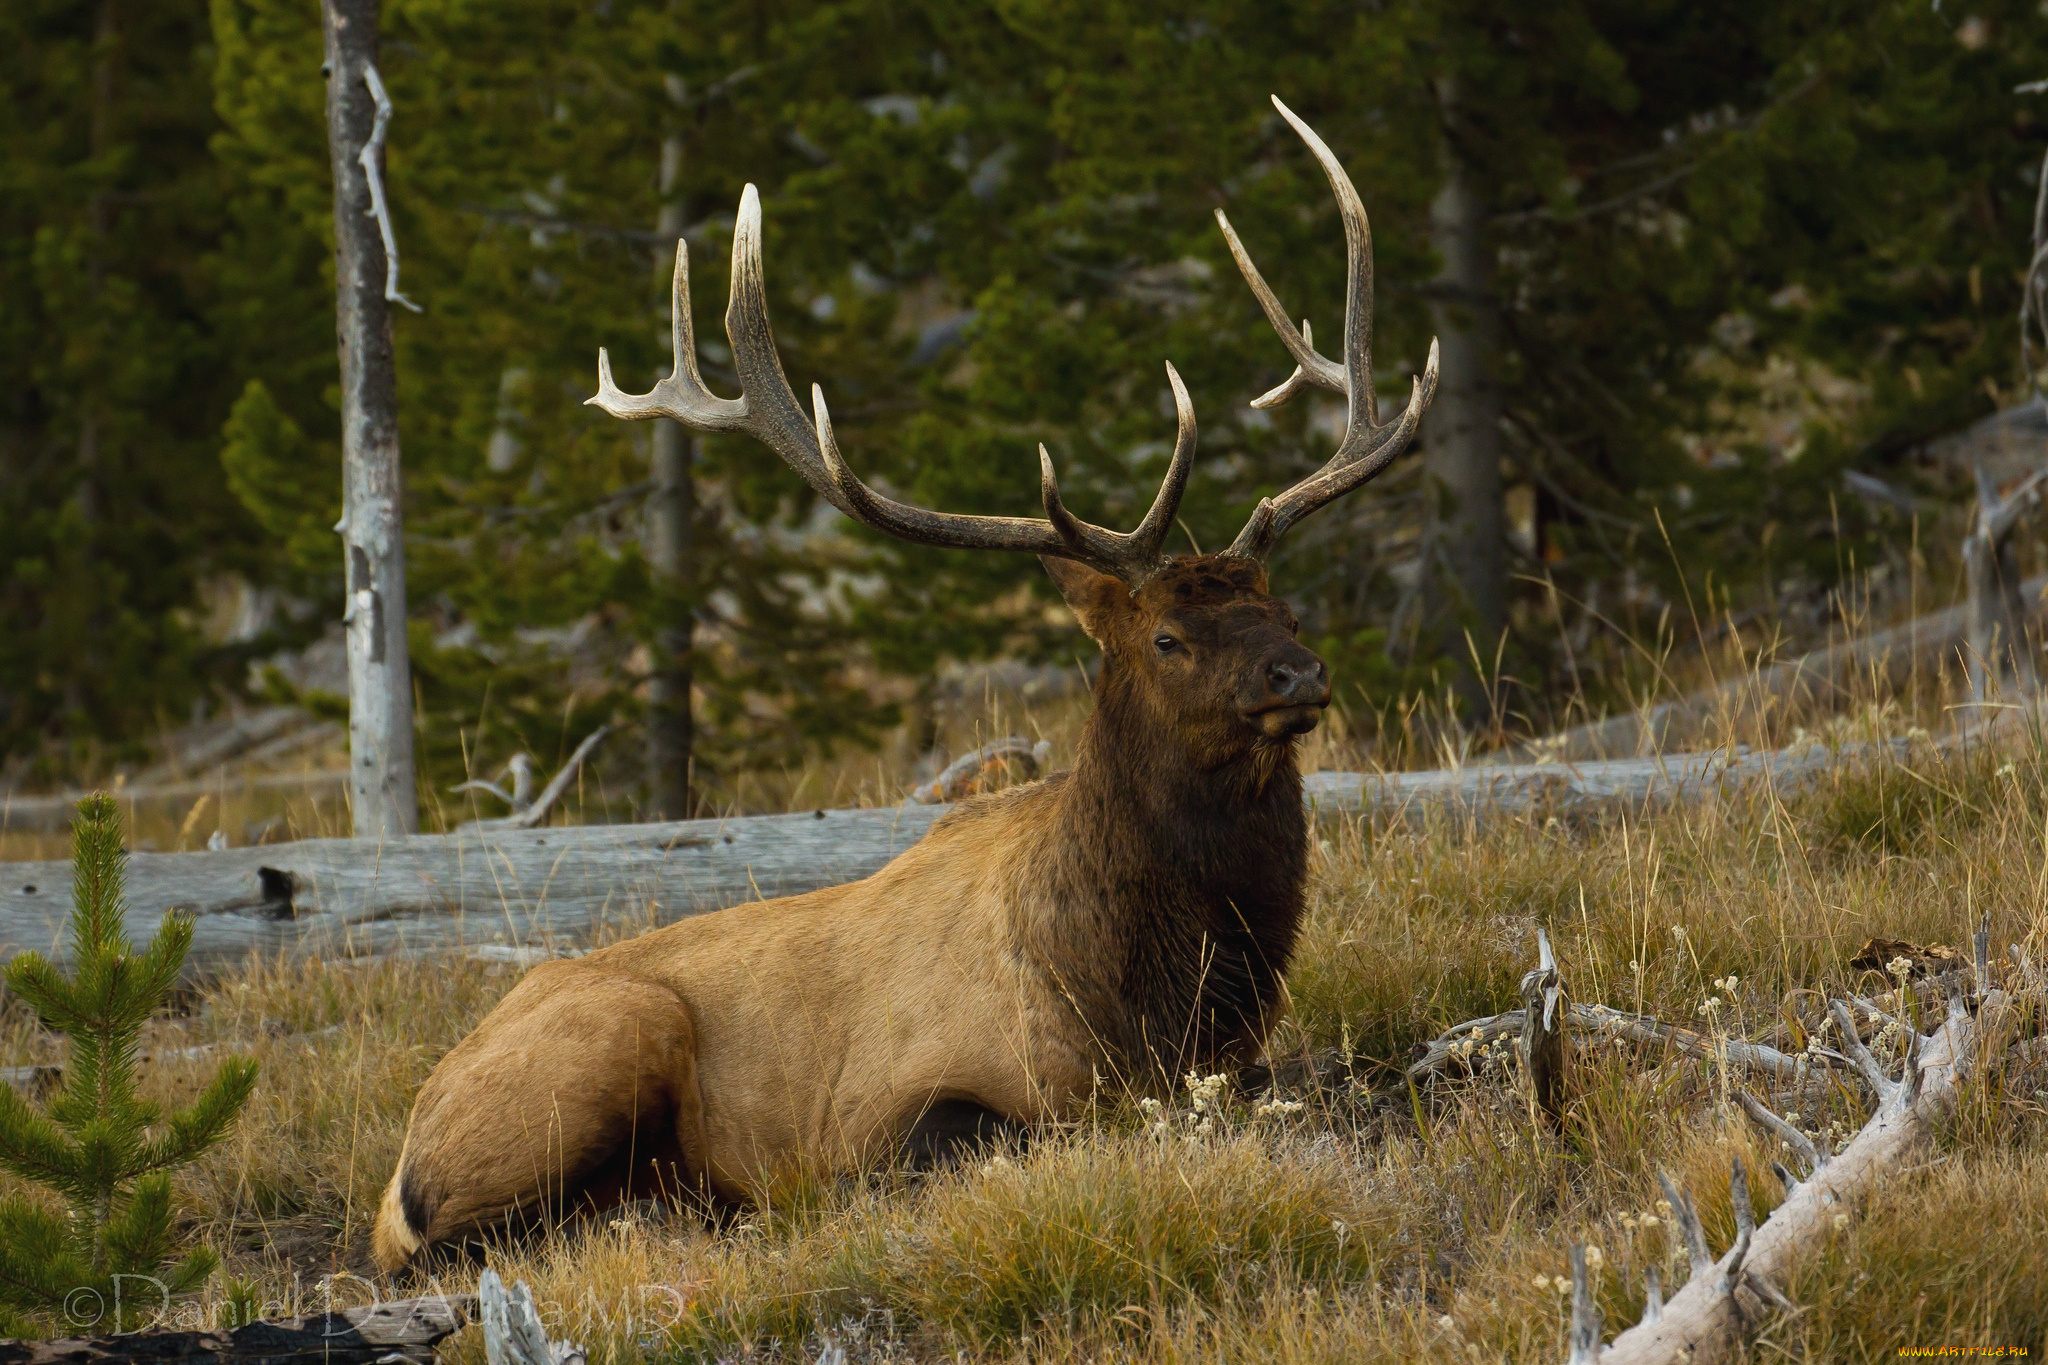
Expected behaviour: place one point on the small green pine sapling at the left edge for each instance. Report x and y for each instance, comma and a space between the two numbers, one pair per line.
103, 1149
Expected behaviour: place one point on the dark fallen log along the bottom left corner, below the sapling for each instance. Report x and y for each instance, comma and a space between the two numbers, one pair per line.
374, 1335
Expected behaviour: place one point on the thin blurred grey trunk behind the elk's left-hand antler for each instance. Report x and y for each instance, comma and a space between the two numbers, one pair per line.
671, 509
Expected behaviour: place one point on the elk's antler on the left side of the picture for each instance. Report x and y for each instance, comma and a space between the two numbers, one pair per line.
767, 410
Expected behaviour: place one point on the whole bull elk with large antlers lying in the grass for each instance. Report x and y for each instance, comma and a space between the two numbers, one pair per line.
1129, 918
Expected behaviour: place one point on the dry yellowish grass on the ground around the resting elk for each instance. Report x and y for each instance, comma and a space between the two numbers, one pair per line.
1357, 1229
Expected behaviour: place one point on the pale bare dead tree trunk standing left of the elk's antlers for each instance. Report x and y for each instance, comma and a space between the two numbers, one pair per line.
380, 670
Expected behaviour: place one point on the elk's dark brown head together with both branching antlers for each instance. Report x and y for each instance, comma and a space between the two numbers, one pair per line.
1195, 642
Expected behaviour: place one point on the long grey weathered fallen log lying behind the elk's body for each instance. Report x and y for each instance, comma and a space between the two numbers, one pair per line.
560, 885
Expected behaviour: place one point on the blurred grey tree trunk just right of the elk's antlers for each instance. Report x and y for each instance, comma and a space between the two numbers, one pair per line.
1463, 431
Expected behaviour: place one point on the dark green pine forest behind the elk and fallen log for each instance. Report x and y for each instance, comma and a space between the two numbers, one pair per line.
1705, 261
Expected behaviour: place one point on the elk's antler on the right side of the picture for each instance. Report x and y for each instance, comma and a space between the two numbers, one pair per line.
1367, 447
